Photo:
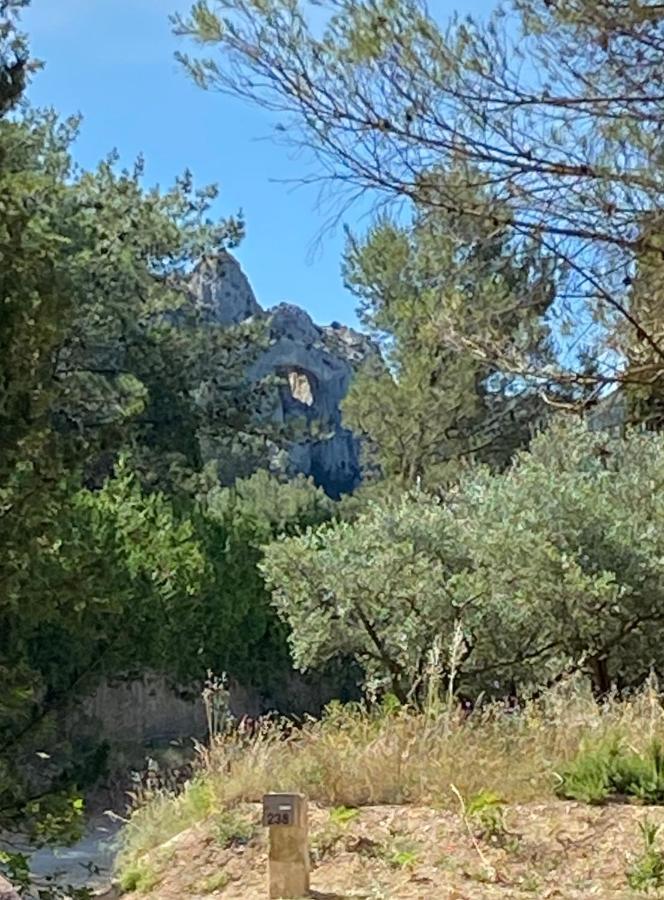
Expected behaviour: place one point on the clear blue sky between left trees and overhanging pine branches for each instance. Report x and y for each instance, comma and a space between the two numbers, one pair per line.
112, 61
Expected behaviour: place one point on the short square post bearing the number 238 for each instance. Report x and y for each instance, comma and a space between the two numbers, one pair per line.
285, 815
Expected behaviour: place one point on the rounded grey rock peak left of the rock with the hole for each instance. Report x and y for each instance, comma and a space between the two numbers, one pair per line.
221, 291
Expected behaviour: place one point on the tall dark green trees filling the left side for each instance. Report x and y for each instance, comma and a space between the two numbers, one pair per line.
110, 389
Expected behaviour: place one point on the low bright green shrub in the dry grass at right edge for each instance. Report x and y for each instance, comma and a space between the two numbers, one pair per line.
611, 769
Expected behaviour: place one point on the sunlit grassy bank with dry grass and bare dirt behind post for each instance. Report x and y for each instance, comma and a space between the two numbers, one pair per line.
564, 799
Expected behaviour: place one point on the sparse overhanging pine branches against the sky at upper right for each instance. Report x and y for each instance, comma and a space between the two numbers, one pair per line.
534, 107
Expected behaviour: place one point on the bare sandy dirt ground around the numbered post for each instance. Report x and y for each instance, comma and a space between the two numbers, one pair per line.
554, 850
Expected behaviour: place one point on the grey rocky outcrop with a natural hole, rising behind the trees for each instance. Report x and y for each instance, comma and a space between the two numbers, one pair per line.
316, 364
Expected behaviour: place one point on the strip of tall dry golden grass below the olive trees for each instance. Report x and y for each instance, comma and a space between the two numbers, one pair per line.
357, 757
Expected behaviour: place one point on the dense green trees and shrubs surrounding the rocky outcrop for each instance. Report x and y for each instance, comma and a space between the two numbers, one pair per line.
513, 276
